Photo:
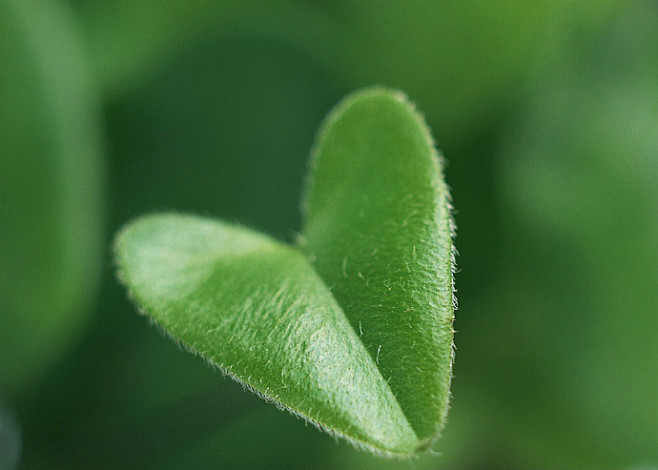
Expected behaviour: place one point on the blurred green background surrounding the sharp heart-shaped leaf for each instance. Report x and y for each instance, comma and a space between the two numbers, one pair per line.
547, 112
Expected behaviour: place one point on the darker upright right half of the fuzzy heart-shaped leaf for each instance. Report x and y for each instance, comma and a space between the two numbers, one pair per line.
378, 230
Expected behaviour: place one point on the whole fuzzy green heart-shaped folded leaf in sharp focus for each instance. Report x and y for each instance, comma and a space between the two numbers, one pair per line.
352, 328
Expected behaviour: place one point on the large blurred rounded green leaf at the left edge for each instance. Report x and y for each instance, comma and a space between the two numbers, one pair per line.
50, 207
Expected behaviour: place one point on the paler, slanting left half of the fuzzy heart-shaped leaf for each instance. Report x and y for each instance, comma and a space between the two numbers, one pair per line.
256, 309
